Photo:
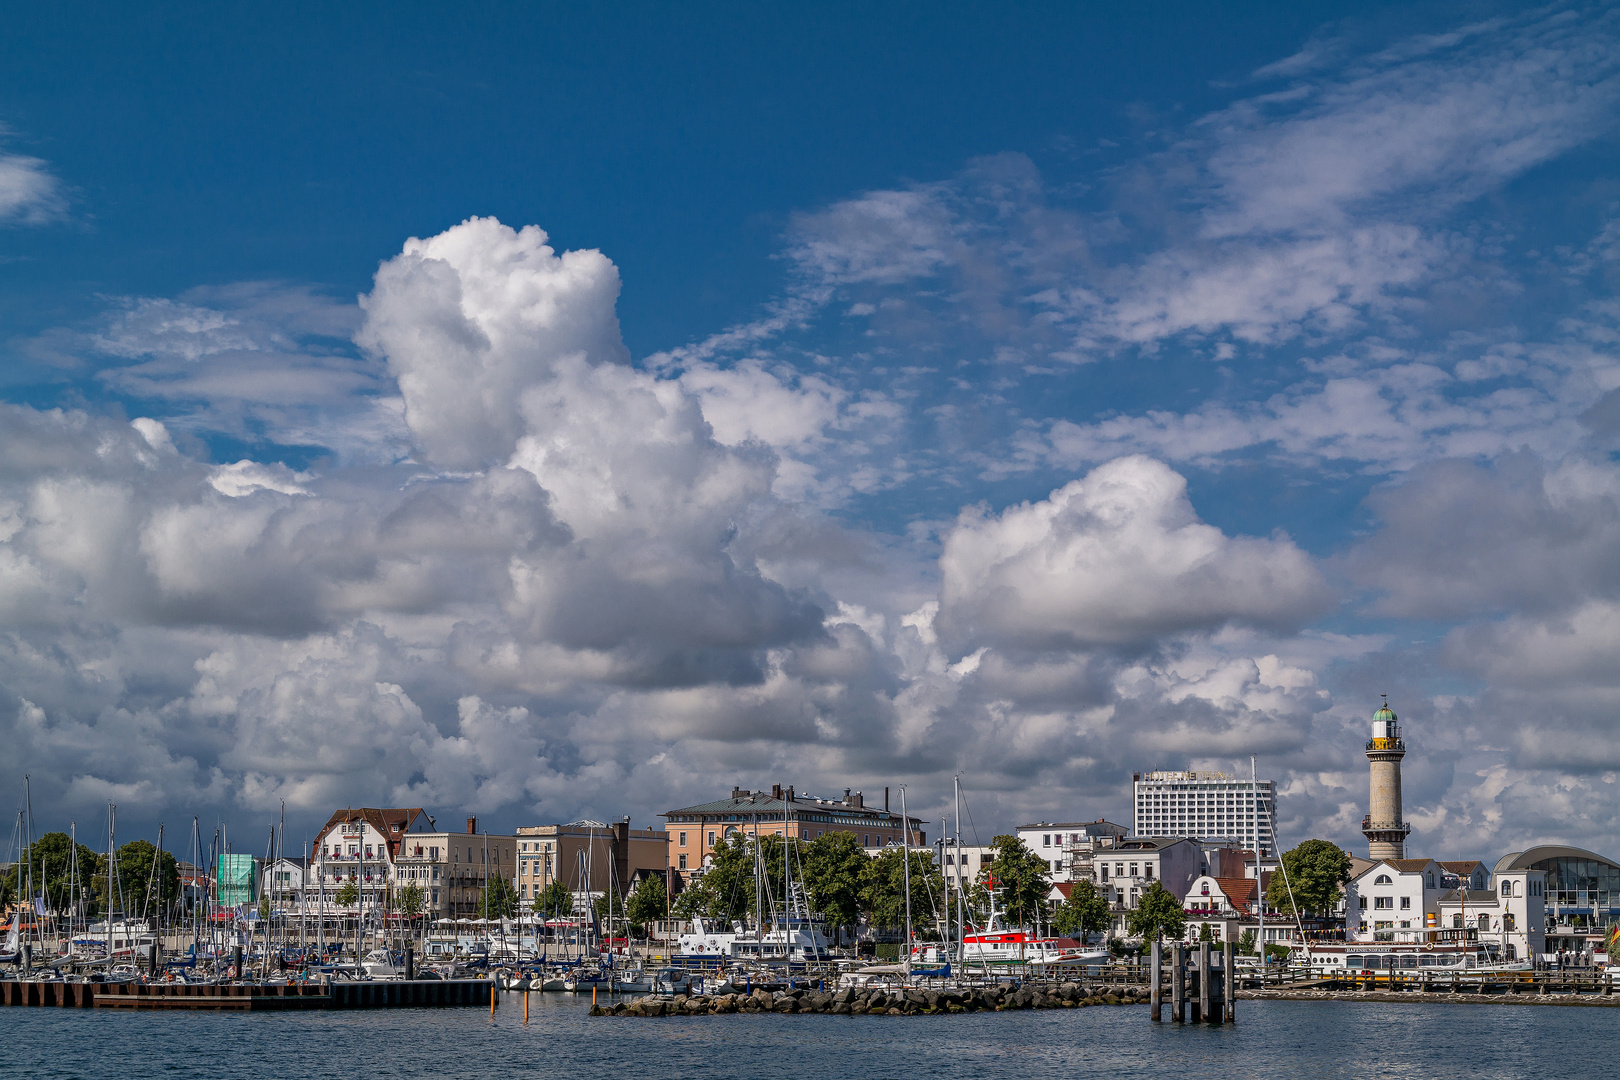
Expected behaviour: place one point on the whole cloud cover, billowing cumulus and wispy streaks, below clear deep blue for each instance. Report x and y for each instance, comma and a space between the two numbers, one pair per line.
863, 542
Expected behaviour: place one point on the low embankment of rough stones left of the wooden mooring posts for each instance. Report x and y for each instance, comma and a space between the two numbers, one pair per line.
882, 1001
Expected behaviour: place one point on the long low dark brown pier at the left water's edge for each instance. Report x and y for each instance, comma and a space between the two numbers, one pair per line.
250, 997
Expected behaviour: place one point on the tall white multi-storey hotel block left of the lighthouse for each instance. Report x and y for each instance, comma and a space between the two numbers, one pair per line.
1208, 807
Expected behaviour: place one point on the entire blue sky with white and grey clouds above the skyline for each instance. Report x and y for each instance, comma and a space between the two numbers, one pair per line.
563, 412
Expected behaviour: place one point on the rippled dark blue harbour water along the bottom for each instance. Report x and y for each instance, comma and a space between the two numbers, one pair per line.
1311, 1040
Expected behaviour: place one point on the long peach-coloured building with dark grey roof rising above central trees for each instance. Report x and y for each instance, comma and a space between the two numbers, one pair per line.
697, 831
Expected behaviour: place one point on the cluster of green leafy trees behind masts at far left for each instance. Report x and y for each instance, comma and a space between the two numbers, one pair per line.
142, 887
